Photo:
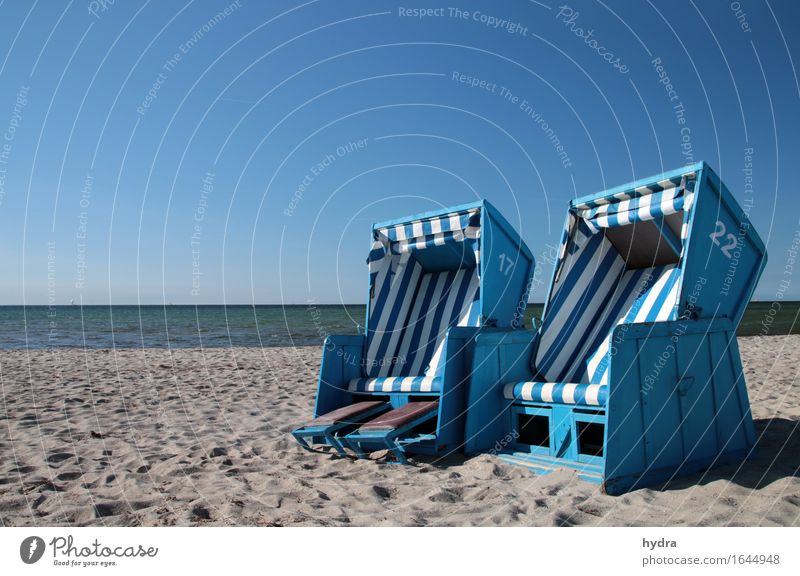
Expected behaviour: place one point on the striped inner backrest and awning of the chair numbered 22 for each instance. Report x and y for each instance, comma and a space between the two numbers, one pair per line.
620, 263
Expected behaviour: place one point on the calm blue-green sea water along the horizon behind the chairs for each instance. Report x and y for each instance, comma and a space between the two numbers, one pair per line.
221, 326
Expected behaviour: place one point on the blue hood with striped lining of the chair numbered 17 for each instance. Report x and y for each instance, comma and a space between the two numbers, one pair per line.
427, 274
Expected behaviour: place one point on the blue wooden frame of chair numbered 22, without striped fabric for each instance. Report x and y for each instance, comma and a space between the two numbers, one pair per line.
691, 414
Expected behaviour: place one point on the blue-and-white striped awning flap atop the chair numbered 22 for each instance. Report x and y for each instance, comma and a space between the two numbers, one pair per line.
642, 204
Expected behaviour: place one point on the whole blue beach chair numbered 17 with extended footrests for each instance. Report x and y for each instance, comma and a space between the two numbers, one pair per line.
434, 279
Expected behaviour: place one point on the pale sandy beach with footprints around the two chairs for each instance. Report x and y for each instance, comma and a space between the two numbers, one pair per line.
191, 437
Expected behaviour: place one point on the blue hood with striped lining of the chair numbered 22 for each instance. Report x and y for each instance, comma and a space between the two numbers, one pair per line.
625, 258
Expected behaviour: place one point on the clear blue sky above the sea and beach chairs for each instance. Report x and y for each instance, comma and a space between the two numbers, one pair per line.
209, 152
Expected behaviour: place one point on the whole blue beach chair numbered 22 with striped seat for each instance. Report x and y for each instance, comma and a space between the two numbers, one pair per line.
634, 376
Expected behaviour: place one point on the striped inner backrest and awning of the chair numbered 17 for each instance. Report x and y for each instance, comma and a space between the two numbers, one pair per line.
424, 278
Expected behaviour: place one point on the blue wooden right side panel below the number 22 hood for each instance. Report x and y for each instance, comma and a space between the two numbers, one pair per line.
690, 415
